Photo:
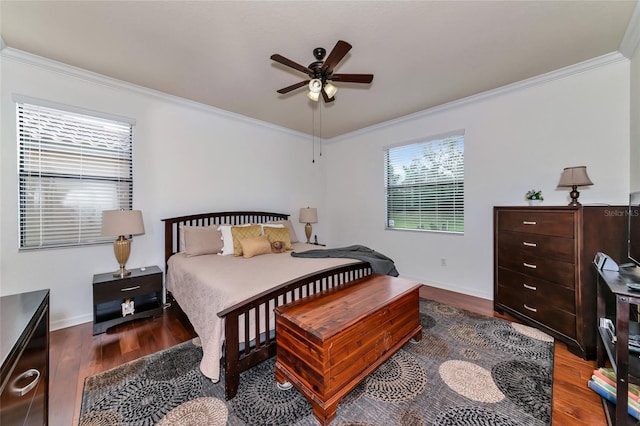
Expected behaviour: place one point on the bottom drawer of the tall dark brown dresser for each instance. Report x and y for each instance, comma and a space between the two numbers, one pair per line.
542, 311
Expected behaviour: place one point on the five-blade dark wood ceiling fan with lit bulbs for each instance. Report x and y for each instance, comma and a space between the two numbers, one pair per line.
321, 72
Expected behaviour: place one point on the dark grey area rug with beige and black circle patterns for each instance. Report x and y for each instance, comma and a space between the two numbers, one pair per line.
467, 370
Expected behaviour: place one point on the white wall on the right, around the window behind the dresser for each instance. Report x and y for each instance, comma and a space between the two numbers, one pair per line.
514, 141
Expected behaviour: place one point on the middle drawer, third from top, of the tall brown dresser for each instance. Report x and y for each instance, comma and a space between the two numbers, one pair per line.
562, 273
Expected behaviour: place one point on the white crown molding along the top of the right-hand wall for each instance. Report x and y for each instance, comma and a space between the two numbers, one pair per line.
578, 68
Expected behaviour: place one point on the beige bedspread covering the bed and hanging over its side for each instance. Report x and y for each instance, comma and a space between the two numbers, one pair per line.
205, 285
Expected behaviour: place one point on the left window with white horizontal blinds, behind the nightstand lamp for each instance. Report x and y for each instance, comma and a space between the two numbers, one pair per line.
71, 167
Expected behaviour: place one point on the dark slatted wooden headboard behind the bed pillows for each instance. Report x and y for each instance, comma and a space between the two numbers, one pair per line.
172, 225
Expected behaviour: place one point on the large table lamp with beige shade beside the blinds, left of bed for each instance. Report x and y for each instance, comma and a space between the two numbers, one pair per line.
118, 223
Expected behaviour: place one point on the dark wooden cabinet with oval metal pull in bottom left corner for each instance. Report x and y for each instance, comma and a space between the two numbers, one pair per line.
24, 344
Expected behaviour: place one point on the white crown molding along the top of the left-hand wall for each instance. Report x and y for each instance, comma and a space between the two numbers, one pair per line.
95, 78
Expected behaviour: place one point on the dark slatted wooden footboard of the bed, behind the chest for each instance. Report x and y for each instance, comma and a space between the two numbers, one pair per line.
255, 314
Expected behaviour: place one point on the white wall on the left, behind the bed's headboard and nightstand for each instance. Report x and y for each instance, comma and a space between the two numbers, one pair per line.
187, 159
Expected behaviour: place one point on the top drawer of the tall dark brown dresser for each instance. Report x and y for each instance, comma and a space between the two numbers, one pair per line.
537, 222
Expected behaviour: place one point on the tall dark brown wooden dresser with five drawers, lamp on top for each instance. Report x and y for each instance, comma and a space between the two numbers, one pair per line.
542, 267
